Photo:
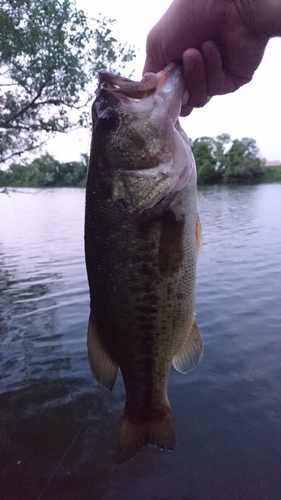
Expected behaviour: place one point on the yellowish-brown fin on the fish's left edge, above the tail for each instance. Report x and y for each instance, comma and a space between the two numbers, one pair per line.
102, 365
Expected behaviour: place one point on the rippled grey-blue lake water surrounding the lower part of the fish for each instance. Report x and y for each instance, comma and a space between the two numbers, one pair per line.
59, 428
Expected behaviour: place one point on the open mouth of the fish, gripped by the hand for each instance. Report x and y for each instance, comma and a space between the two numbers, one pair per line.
149, 84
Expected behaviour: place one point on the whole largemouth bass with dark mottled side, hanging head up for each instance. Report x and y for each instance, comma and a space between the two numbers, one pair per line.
142, 235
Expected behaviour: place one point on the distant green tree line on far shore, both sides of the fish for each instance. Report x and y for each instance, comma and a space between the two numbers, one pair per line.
218, 160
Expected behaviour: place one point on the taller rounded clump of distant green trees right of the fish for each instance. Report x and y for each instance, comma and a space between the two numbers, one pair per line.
224, 160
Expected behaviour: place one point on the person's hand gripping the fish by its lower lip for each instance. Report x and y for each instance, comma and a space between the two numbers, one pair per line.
220, 44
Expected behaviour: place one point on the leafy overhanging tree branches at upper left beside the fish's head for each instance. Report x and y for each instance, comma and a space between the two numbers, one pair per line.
50, 53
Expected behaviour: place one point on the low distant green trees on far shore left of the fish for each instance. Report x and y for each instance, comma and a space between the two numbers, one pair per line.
46, 172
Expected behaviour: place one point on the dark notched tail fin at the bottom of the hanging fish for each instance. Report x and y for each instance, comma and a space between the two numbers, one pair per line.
156, 429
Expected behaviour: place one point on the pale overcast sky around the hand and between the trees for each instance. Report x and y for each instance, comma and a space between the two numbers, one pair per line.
253, 111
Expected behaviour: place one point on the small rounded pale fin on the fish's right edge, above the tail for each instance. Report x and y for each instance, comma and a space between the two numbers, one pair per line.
191, 352
